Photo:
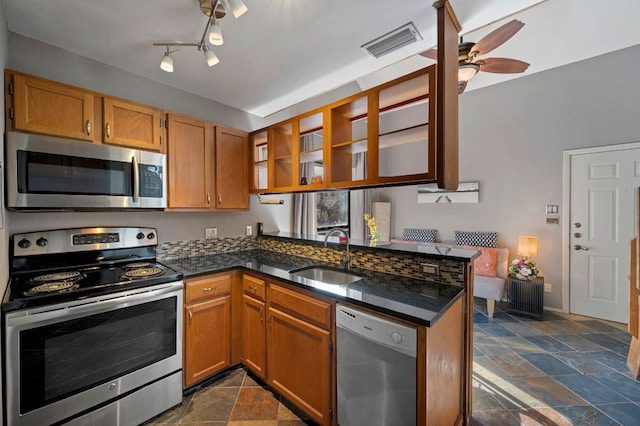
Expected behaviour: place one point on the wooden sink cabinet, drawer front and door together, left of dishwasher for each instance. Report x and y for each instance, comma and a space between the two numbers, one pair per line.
299, 353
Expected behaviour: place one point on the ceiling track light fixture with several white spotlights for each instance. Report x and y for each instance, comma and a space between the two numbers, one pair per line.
214, 10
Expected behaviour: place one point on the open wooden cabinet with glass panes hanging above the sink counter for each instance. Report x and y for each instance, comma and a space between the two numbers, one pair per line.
385, 135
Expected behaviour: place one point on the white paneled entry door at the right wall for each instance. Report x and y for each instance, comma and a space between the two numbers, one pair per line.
602, 215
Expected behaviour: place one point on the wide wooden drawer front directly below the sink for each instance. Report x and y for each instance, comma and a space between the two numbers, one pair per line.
302, 306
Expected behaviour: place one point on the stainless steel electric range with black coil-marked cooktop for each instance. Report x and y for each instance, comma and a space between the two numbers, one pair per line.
92, 328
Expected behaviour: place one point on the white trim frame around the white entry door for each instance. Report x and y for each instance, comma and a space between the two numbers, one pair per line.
566, 202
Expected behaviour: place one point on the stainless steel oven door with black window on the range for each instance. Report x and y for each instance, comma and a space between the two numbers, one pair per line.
70, 359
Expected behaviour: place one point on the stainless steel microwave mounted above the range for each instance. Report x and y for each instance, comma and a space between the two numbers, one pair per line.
44, 172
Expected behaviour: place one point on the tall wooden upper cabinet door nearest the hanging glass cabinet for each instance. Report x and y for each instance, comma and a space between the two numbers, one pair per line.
231, 170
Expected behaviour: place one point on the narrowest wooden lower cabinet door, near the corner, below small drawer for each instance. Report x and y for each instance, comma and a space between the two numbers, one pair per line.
253, 335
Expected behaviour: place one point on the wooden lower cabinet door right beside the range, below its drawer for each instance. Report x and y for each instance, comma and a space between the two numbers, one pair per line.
207, 339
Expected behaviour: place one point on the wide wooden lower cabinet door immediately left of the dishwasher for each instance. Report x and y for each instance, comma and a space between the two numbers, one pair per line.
298, 363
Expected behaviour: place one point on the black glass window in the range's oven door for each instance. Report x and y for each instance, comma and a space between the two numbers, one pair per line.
68, 357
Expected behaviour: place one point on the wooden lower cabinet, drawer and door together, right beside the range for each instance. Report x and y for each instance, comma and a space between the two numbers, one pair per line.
207, 328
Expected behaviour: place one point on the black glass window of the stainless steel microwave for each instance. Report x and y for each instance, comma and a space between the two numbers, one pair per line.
63, 174
